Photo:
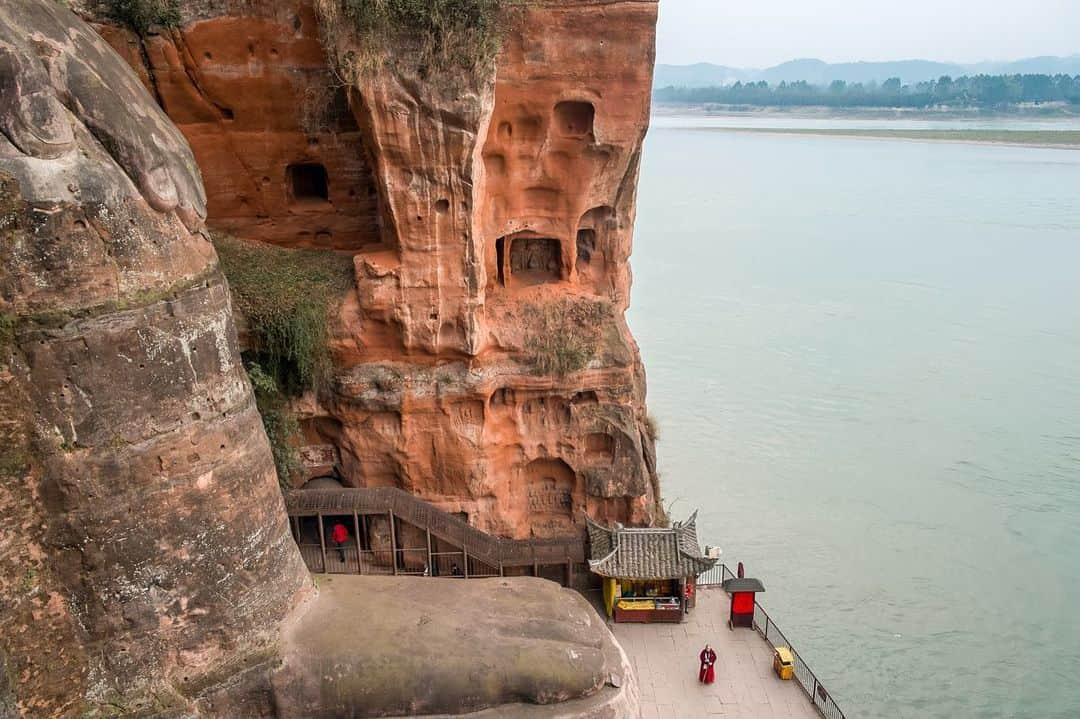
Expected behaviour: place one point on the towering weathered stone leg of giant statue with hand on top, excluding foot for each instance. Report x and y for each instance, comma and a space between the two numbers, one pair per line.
143, 520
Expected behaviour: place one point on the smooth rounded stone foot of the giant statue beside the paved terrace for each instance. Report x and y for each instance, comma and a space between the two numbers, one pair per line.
503, 647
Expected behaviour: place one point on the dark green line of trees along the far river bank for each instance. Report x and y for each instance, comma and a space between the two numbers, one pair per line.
975, 91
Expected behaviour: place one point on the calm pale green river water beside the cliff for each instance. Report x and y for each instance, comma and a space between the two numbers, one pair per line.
865, 359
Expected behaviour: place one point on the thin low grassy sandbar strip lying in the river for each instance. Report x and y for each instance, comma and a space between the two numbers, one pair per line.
1069, 140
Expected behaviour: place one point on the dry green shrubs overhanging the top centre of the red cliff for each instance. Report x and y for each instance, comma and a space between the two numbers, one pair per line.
442, 37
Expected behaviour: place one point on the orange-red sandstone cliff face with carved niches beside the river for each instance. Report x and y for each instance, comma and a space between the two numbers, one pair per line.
483, 361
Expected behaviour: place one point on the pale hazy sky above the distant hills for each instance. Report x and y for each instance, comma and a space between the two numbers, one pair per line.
763, 33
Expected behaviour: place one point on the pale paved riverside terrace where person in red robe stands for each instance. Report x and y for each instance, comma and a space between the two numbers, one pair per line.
666, 659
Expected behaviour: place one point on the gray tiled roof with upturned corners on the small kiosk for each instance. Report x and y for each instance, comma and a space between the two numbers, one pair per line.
647, 554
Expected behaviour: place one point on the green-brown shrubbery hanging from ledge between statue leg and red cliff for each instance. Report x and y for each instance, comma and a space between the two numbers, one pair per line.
288, 299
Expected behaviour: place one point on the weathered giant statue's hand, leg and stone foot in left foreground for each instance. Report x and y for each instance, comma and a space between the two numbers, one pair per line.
146, 566
